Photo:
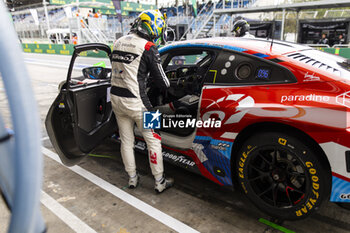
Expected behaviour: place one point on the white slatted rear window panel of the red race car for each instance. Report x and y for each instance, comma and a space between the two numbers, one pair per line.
327, 62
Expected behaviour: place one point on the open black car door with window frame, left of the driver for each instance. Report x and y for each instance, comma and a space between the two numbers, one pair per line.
81, 116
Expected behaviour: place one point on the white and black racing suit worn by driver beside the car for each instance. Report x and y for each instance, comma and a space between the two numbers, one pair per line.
133, 59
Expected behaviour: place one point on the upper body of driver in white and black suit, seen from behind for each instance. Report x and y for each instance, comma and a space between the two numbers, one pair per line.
133, 58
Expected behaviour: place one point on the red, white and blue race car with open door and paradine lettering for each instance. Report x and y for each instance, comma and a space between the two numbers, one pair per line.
267, 117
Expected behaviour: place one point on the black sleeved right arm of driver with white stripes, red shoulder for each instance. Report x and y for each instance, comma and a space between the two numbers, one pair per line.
155, 67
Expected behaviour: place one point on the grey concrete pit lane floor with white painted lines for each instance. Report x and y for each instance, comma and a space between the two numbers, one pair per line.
194, 201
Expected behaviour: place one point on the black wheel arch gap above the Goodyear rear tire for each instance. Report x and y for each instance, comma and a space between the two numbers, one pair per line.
275, 127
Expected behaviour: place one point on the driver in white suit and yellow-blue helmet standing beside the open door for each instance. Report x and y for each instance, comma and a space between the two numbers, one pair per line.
134, 57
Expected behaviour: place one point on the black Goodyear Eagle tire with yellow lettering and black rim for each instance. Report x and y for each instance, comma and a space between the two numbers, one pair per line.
282, 176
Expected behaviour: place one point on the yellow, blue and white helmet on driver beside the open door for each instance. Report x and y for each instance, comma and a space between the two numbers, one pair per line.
151, 24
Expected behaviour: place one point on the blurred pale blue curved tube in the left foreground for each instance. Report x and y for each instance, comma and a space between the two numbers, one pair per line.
21, 158
